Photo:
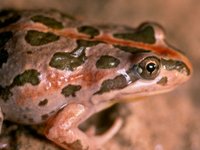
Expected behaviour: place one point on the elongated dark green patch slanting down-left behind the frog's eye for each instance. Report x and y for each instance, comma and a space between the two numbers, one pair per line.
119, 82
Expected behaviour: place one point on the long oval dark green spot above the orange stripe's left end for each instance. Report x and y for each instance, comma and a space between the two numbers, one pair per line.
50, 22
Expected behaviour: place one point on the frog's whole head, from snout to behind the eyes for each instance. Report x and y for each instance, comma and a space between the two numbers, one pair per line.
148, 66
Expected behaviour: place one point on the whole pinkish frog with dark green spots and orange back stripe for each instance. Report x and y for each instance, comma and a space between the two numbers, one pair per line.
57, 71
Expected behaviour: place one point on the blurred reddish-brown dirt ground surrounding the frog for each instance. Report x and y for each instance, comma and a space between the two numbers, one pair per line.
165, 122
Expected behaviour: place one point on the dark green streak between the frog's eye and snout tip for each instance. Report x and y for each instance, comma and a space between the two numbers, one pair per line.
176, 65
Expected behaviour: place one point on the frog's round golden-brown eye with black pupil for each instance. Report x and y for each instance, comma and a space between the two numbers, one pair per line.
149, 68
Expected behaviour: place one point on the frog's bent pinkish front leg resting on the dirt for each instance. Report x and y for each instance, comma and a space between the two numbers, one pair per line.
63, 129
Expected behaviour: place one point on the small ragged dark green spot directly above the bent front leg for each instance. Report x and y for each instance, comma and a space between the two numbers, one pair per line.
70, 90
